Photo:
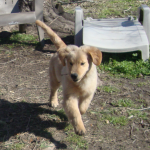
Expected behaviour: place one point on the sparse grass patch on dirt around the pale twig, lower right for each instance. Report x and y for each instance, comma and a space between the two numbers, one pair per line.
122, 111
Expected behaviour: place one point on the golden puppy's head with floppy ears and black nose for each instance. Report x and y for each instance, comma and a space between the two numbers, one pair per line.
79, 60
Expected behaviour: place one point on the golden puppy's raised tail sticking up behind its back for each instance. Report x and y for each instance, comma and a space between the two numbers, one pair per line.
53, 36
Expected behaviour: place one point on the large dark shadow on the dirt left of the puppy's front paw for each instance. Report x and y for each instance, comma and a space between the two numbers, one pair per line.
24, 117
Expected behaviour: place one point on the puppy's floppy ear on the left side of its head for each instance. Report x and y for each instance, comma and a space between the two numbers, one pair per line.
62, 53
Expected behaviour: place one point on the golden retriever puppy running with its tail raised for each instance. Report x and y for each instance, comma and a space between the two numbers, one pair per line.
74, 68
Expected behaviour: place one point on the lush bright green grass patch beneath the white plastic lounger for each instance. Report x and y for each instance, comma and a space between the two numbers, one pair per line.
127, 68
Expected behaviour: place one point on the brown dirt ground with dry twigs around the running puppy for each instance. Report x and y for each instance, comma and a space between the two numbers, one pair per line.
28, 123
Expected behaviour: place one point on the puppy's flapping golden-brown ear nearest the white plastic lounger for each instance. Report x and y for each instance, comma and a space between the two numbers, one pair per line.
95, 53
